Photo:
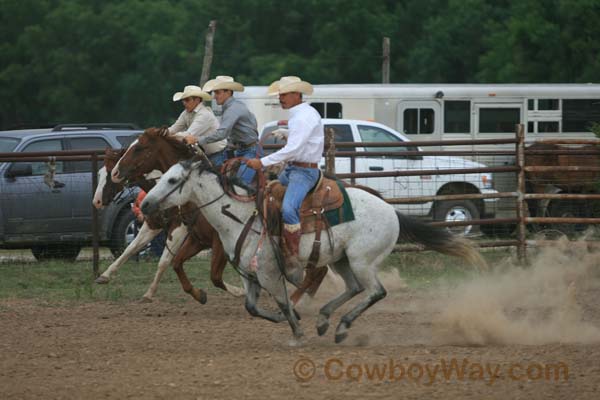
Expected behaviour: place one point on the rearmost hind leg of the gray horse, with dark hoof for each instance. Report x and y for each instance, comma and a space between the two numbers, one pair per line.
366, 275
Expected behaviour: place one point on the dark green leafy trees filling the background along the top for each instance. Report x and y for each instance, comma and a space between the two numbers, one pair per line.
121, 60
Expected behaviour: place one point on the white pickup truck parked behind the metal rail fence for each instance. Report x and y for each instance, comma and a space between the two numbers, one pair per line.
347, 130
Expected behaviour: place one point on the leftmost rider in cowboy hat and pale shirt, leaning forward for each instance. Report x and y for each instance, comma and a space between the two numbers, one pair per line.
197, 121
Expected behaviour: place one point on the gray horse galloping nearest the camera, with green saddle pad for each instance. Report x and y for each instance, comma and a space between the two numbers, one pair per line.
357, 248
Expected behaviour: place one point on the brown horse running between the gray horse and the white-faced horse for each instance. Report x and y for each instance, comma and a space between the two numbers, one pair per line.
155, 150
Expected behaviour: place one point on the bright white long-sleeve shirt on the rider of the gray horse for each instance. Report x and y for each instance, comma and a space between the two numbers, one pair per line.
306, 138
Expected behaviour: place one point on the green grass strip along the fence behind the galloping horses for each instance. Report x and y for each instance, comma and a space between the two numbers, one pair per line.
57, 281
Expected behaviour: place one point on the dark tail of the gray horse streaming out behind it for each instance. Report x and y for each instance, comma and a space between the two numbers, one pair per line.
438, 239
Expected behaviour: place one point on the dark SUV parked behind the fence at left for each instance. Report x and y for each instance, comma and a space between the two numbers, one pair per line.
55, 220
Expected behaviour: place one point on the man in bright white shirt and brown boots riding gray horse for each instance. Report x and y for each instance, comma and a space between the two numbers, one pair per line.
302, 153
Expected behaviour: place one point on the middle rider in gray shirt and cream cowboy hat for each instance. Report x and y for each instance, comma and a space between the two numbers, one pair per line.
238, 124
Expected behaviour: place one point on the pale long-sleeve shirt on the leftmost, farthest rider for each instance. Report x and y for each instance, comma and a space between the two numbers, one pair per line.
199, 122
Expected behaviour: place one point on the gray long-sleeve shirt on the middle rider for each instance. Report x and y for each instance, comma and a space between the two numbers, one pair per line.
238, 125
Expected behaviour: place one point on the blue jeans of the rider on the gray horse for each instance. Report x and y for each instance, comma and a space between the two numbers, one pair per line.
298, 181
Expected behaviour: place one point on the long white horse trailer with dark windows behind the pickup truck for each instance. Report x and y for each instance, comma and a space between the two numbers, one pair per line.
454, 111
